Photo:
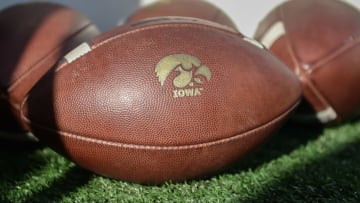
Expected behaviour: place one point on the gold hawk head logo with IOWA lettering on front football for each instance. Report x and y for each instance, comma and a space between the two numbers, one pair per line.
191, 74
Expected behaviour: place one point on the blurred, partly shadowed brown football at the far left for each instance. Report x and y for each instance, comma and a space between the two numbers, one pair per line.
33, 37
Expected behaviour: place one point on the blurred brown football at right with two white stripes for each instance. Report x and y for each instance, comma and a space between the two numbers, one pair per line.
319, 41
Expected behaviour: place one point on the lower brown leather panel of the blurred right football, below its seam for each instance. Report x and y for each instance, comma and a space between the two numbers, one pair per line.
338, 80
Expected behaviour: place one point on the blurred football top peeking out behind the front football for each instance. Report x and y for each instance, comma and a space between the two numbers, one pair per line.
186, 8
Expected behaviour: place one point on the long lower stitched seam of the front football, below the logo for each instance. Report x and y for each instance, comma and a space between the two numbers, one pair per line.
167, 148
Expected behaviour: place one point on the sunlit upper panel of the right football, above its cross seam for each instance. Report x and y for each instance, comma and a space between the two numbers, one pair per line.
306, 33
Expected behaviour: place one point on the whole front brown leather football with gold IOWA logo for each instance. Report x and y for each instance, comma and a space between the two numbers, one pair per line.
153, 101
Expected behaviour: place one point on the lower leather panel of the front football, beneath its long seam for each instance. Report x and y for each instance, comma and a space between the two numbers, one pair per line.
153, 164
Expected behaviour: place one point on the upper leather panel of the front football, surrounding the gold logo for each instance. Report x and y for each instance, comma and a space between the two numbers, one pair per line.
125, 101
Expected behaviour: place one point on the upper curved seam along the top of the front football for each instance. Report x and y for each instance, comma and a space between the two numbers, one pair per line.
151, 27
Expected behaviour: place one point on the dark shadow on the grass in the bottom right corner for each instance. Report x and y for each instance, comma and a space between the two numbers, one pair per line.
332, 177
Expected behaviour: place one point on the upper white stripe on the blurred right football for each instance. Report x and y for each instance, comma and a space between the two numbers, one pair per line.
276, 31
